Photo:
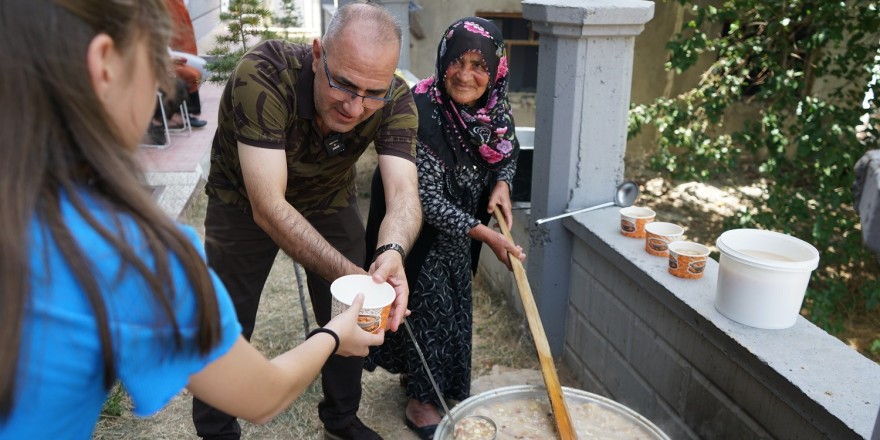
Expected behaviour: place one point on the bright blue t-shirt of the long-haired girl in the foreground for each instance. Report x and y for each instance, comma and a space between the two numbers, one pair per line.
59, 384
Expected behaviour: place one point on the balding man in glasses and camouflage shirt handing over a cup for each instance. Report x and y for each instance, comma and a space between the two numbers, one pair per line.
293, 121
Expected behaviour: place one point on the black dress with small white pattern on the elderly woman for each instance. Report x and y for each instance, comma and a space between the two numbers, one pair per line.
440, 298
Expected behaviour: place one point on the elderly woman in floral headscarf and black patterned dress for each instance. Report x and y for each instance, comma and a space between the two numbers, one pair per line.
466, 159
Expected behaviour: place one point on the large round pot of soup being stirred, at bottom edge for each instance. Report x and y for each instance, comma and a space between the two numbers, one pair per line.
480, 403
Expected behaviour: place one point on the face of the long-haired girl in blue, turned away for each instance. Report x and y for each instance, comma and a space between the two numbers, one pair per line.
131, 100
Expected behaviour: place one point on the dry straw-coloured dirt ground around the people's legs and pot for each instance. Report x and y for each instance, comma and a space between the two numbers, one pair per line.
280, 327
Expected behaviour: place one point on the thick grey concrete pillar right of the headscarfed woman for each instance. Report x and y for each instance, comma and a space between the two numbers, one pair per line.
584, 78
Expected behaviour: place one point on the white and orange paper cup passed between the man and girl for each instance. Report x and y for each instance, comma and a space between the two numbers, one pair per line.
377, 300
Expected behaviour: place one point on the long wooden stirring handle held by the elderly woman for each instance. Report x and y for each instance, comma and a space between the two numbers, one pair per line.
548, 369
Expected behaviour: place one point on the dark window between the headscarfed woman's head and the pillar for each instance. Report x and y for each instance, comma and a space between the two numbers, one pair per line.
522, 49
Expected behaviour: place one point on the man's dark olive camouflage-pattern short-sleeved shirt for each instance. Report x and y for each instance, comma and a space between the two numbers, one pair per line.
269, 103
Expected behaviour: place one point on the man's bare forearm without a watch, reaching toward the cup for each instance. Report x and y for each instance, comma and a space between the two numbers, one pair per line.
265, 177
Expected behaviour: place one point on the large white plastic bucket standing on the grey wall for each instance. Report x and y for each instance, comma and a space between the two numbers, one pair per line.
763, 277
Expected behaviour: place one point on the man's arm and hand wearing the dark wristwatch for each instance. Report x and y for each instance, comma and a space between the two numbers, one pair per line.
403, 218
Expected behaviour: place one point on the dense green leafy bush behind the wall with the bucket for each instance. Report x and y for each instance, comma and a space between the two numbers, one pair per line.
783, 101
